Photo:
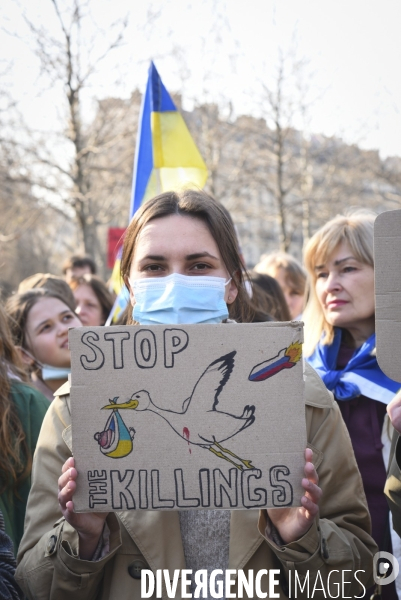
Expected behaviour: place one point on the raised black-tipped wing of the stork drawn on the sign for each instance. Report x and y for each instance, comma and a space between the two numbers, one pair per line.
209, 385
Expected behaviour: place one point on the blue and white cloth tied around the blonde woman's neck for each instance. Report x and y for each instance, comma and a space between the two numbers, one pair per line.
361, 376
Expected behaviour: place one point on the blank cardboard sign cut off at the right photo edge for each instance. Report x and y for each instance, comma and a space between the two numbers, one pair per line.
387, 250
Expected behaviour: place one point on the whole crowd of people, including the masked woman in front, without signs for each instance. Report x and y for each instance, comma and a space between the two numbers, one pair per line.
351, 411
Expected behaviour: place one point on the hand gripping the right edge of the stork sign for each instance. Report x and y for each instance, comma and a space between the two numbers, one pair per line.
293, 523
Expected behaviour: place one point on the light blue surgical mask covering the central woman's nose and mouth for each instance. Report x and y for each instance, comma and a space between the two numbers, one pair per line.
179, 299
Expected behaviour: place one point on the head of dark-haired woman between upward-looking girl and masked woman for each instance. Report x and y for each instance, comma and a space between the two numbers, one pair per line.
94, 301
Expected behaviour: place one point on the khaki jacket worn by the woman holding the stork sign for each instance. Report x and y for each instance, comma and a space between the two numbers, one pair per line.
49, 566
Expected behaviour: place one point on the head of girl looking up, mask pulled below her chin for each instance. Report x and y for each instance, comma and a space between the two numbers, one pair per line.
39, 321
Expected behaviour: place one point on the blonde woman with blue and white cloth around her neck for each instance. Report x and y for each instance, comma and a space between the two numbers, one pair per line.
340, 345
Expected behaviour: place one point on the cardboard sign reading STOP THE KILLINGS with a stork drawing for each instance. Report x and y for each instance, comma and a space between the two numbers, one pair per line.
185, 417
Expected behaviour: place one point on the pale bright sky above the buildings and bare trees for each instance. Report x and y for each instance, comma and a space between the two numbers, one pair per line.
221, 51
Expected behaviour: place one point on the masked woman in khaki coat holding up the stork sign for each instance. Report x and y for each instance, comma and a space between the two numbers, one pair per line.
183, 237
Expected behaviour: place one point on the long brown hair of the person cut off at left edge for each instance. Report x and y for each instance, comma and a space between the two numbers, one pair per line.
15, 456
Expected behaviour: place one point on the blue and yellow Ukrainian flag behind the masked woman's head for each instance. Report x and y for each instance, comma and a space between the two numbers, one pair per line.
166, 158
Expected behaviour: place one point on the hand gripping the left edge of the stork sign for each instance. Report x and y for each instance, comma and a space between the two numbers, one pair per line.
89, 526
